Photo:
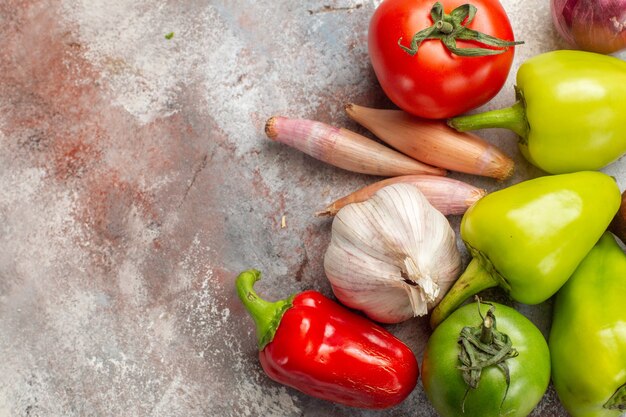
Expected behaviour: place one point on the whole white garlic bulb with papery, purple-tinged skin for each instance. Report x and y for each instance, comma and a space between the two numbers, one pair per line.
393, 256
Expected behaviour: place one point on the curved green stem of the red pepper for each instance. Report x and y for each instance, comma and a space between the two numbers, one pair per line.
266, 315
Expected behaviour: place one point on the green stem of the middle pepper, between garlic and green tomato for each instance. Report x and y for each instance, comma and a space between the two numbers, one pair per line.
472, 281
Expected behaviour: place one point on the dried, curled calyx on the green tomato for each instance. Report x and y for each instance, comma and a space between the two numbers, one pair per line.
483, 346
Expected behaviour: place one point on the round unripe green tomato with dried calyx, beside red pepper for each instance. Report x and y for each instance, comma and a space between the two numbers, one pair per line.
490, 362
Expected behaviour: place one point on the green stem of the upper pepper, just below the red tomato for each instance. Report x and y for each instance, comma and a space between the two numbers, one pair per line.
512, 118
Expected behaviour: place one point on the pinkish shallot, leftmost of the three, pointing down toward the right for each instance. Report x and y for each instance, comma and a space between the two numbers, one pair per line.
344, 149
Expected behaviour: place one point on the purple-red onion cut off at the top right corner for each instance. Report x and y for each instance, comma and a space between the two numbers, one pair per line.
591, 25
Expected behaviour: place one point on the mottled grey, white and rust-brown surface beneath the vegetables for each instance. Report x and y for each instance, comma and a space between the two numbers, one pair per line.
136, 182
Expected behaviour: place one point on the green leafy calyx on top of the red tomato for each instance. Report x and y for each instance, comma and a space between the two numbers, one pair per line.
452, 27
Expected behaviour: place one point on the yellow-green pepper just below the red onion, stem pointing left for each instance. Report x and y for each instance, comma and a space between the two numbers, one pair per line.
570, 111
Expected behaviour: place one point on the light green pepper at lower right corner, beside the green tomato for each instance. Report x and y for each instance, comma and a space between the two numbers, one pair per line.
588, 335
